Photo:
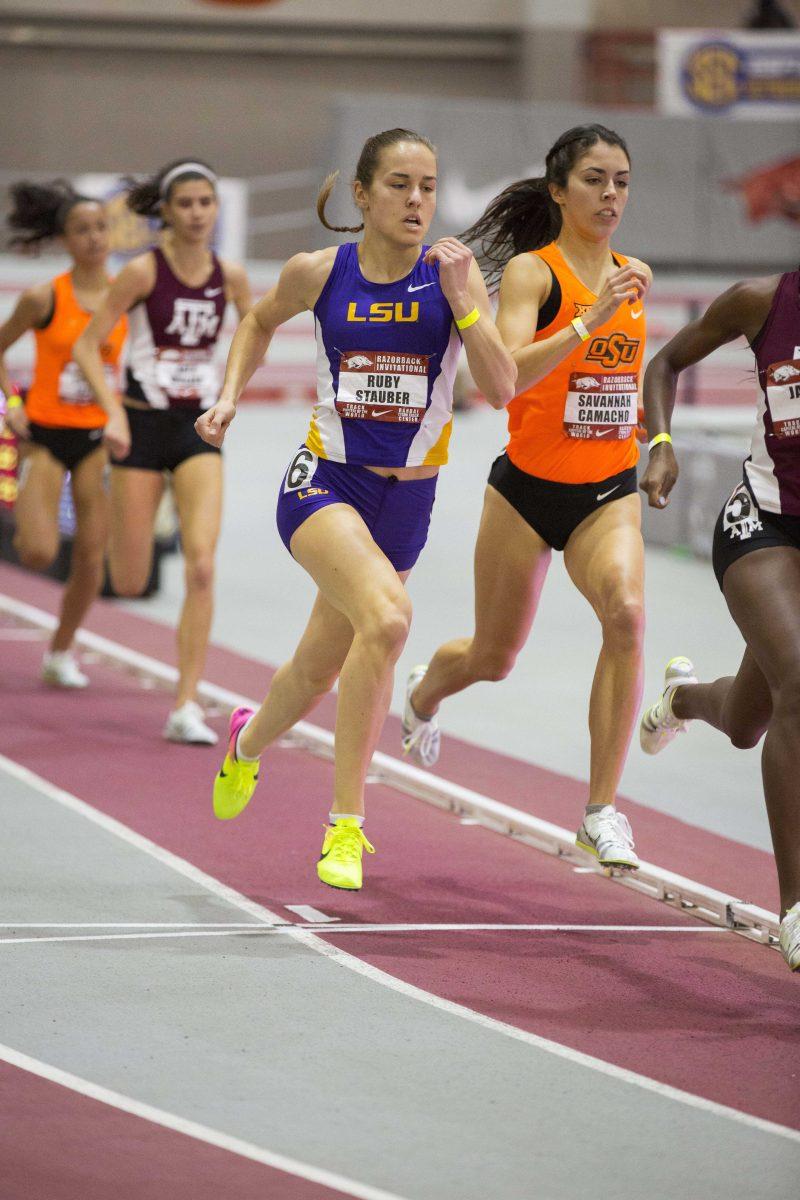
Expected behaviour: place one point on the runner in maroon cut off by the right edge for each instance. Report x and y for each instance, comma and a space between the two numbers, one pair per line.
756, 561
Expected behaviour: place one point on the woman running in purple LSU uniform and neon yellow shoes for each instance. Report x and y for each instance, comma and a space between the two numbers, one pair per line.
354, 506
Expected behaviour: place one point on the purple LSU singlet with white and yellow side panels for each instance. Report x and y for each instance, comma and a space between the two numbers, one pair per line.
387, 357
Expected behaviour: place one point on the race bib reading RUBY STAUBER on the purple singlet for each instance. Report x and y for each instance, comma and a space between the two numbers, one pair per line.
381, 386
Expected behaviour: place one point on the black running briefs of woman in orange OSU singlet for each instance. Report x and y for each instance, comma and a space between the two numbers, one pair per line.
556, 511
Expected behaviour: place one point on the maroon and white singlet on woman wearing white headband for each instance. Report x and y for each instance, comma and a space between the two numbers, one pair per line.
173, 338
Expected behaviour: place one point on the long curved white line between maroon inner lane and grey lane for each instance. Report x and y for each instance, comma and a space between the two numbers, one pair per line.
309, 939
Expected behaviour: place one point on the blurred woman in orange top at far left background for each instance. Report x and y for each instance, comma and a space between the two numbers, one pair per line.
59, 423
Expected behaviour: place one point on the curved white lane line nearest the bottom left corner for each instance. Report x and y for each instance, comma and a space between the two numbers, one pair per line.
194, 1130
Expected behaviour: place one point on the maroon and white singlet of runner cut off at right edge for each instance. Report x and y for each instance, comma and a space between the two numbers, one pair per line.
774, 466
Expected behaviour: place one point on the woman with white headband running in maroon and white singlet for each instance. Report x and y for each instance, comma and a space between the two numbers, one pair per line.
176, 297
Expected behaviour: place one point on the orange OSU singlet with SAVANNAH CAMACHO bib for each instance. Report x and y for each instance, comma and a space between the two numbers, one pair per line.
578, 425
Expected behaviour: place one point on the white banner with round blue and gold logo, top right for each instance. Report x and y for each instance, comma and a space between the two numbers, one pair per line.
730, 74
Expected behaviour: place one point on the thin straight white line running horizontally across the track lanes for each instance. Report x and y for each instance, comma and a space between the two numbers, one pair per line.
260, 931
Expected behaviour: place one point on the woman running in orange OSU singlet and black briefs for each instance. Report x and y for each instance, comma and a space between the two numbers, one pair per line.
573, 316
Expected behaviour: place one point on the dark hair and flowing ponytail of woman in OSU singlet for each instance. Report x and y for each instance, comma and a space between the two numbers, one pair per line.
526, 217
